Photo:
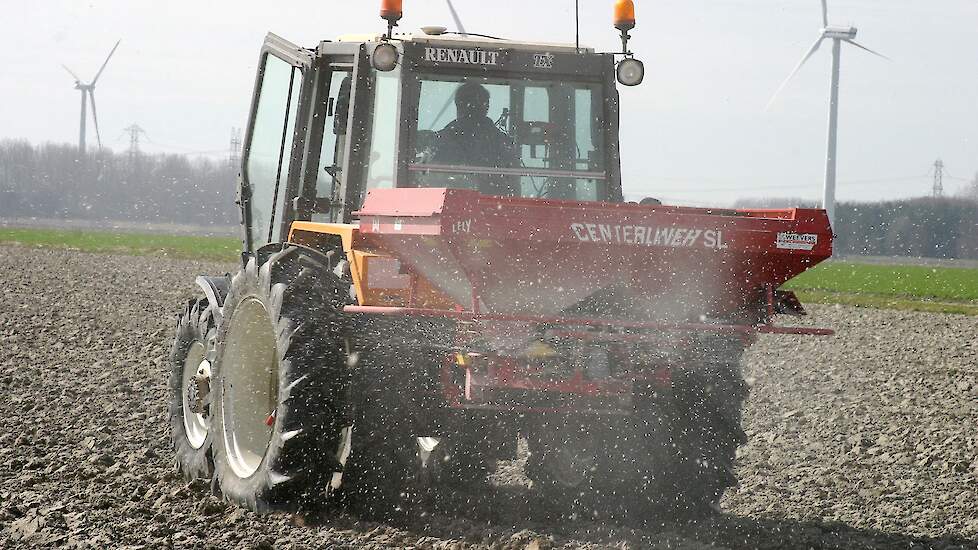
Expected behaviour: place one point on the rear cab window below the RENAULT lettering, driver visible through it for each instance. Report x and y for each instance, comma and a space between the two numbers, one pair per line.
528, 138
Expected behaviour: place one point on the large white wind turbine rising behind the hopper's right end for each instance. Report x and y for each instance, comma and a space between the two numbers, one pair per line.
838, 36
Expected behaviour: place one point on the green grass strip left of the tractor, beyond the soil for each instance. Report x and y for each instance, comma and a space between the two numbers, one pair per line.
225, 249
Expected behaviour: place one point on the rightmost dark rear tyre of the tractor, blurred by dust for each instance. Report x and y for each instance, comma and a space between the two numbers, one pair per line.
702, 422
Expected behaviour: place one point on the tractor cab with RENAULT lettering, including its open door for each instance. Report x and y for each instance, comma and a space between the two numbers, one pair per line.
436, 109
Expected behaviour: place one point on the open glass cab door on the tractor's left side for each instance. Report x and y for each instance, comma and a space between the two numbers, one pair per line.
271, 163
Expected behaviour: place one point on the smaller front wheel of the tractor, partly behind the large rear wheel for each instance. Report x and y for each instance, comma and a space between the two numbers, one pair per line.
192, 353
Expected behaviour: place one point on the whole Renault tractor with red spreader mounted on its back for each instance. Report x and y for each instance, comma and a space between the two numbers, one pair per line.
439, 271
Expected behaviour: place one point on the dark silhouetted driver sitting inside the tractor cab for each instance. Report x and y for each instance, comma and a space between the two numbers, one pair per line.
473, 139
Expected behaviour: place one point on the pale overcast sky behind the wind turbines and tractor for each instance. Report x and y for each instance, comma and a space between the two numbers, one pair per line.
695, 132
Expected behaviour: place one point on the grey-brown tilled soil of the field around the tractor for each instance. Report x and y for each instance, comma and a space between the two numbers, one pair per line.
863, 440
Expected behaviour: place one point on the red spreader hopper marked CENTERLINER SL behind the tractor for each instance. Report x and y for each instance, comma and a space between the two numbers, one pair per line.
605, 263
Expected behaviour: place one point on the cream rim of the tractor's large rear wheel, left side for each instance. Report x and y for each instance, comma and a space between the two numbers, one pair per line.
250, 386
